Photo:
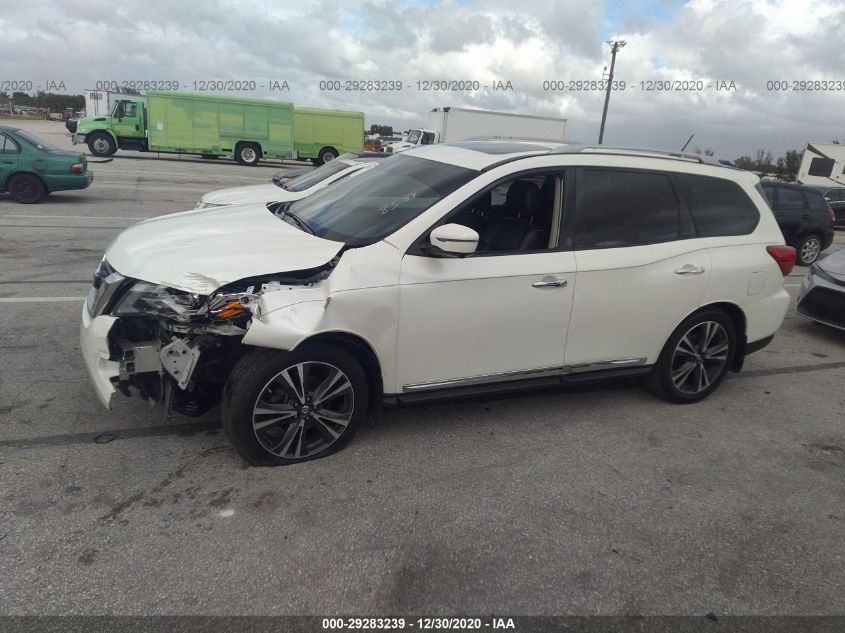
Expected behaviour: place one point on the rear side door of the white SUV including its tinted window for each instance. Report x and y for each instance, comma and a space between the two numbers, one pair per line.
640, 268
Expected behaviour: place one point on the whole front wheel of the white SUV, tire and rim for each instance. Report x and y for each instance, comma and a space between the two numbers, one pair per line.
258, 376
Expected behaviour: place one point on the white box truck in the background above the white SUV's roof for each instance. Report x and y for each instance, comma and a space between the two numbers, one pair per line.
450, 125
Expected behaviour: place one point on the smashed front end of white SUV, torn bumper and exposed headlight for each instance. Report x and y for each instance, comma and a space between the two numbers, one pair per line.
183, 362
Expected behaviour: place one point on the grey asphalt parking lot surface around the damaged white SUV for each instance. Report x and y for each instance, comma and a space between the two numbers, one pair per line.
593, 501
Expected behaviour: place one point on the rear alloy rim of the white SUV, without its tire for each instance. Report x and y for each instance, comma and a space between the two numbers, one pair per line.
700, 356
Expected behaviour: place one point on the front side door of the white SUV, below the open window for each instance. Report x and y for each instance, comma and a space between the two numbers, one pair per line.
491, 317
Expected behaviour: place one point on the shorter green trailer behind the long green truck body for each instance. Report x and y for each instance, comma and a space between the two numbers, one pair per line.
322, 135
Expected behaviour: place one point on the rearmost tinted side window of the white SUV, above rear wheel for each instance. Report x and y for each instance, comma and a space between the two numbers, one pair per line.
718, 206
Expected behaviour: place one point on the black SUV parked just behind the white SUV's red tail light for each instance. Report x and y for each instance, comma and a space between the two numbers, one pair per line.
804, 216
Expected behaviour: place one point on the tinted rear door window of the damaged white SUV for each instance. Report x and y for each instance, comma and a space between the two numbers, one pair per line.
622, 208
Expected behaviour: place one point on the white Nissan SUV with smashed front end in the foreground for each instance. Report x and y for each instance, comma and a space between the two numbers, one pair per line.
446, 271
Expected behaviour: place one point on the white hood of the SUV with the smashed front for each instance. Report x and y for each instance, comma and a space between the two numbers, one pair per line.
199, 251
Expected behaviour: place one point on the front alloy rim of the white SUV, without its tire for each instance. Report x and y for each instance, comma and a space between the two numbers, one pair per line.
303, 410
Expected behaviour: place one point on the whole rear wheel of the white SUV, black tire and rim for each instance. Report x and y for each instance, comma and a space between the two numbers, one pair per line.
677, 376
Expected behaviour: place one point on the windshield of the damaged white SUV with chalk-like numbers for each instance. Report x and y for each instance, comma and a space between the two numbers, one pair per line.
373, 203
